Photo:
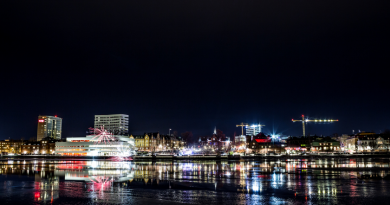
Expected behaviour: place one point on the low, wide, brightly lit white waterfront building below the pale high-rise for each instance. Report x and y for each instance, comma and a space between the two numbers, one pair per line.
91, 146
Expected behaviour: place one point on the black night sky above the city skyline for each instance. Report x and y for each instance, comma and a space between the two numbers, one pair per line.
193, 65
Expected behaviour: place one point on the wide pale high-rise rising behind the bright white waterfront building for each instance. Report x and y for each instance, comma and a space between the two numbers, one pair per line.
118, 124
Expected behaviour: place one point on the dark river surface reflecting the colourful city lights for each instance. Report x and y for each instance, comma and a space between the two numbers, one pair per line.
294, 181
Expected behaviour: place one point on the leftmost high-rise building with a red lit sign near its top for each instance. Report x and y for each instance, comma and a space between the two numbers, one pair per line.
49, 126
